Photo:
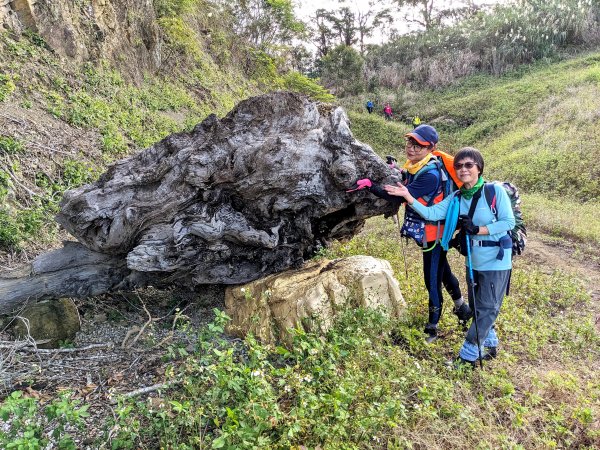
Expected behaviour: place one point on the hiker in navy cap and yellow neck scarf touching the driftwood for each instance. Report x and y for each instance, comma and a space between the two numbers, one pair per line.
422, 176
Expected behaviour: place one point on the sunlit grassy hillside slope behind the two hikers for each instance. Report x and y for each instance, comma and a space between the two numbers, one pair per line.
537, 128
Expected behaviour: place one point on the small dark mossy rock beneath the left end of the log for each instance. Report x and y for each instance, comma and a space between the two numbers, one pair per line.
49, 320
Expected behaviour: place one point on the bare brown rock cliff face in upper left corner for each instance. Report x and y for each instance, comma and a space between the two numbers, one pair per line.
92, 30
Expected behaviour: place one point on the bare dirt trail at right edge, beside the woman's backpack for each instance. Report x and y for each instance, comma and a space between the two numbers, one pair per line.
550, 256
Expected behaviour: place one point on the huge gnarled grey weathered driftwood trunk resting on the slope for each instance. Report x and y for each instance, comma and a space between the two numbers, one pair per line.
236, 199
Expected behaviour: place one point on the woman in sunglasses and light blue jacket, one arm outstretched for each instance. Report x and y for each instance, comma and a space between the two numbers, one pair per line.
490, 243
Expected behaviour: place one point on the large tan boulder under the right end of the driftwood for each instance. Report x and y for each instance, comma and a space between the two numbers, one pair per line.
311, 296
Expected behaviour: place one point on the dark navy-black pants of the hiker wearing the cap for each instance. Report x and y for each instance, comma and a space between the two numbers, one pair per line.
436, 271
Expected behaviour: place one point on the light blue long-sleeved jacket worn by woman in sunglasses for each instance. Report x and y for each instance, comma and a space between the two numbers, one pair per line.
483, 258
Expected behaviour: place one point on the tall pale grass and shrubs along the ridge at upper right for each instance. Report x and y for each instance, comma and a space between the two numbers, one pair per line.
456, 42
